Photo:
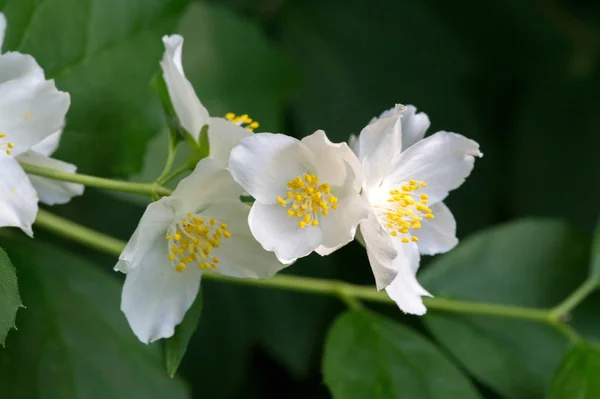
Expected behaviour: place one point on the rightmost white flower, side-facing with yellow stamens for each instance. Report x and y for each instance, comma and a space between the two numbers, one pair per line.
406, 179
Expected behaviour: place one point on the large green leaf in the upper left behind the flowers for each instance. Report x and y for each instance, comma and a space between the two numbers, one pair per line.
106, 71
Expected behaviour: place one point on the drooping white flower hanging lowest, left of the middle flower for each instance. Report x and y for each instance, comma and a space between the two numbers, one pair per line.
202, 226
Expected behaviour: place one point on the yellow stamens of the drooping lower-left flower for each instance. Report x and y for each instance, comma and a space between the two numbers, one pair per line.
192, 240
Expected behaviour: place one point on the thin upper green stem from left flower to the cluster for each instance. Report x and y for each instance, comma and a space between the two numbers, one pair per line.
99, 182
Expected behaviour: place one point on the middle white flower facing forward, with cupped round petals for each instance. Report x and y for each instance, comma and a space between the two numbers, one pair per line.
306, 192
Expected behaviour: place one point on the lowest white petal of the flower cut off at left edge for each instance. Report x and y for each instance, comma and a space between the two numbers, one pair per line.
18, 199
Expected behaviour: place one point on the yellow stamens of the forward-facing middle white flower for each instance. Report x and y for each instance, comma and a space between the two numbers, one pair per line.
306, 199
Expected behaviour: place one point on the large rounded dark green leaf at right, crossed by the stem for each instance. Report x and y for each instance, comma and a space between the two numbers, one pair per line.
531, 263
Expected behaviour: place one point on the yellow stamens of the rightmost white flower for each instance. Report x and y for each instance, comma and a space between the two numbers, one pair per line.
406, 210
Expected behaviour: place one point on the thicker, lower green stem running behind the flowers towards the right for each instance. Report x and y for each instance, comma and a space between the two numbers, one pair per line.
351, 294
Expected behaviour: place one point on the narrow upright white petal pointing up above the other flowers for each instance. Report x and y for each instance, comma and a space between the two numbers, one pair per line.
191, 113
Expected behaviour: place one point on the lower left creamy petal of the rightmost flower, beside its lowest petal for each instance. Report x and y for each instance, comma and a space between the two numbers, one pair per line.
380, 250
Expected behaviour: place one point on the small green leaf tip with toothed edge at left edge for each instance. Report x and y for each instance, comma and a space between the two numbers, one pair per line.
10, 301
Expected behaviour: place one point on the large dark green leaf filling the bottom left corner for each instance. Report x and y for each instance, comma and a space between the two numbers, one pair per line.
73, 341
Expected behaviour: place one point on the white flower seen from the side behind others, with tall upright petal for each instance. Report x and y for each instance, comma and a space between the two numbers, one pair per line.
223, 133
